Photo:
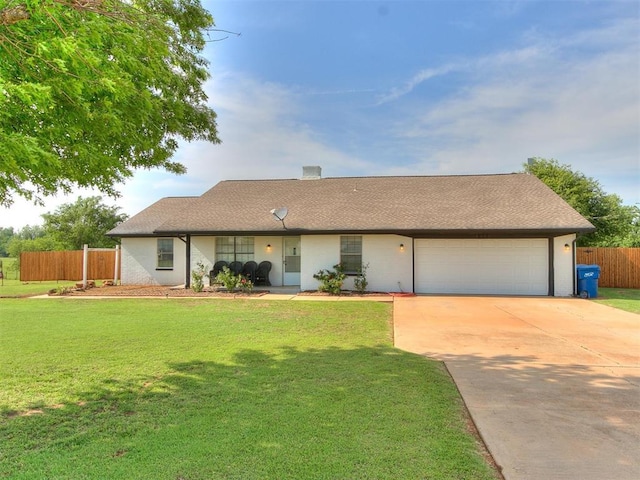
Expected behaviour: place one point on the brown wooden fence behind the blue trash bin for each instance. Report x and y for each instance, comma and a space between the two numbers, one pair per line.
619, 267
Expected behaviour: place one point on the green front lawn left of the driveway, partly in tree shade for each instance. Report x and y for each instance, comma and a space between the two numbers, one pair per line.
222, 389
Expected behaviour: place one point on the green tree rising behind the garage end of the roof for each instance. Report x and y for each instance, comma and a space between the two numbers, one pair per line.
616, 224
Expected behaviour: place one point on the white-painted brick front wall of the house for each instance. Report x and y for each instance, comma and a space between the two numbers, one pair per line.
390, 269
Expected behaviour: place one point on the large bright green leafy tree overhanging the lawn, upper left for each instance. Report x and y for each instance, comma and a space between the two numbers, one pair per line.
91, 90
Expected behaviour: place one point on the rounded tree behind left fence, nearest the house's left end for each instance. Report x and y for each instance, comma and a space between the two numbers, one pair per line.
86, 221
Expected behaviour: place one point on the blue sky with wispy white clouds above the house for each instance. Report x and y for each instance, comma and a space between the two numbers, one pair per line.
395, 87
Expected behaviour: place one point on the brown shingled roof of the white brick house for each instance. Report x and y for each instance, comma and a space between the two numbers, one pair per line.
506, 204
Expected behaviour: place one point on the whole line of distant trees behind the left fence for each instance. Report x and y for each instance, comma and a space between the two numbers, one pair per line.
69, 227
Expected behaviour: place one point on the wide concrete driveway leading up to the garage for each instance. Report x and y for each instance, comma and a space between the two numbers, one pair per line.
552, 384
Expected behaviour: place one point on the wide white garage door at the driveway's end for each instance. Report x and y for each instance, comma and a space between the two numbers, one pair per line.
482, 266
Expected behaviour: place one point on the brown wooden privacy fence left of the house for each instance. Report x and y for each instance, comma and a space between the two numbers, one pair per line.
67, 265
